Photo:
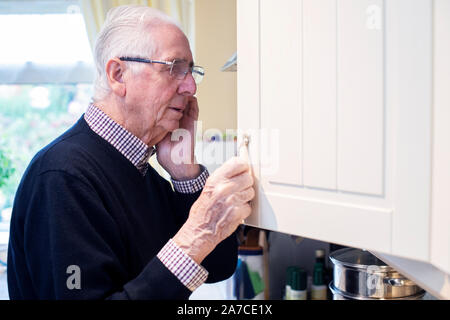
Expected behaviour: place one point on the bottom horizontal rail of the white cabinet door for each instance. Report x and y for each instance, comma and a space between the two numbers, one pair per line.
337, 222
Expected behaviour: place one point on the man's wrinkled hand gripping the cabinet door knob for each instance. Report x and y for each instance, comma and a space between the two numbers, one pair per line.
221, 207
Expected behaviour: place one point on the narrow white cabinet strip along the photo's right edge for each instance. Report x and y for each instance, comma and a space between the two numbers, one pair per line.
440, 227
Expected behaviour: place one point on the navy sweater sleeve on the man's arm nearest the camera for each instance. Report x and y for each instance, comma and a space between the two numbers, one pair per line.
75, 249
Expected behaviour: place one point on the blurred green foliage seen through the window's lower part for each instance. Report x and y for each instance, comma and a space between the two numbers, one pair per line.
25, 129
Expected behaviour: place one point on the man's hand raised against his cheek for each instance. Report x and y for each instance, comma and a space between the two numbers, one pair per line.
177, 157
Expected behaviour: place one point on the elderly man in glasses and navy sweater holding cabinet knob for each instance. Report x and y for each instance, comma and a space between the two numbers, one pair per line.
91, 218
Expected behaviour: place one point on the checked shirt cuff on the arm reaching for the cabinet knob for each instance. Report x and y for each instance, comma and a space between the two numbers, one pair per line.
191, 274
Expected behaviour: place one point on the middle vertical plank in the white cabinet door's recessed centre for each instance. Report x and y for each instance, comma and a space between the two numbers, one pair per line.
319, 94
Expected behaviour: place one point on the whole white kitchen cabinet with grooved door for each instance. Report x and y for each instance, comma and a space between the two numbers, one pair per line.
346, 103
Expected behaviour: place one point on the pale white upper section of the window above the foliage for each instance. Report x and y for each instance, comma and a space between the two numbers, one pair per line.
44, 47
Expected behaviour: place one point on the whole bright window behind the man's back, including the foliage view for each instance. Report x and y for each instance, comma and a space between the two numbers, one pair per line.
46, 73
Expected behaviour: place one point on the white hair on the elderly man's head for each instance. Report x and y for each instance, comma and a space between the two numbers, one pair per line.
125, 33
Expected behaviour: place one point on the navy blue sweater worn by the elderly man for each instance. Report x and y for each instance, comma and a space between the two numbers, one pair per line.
82, 203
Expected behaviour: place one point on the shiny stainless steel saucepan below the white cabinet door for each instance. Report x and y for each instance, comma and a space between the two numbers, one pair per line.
358, 274
